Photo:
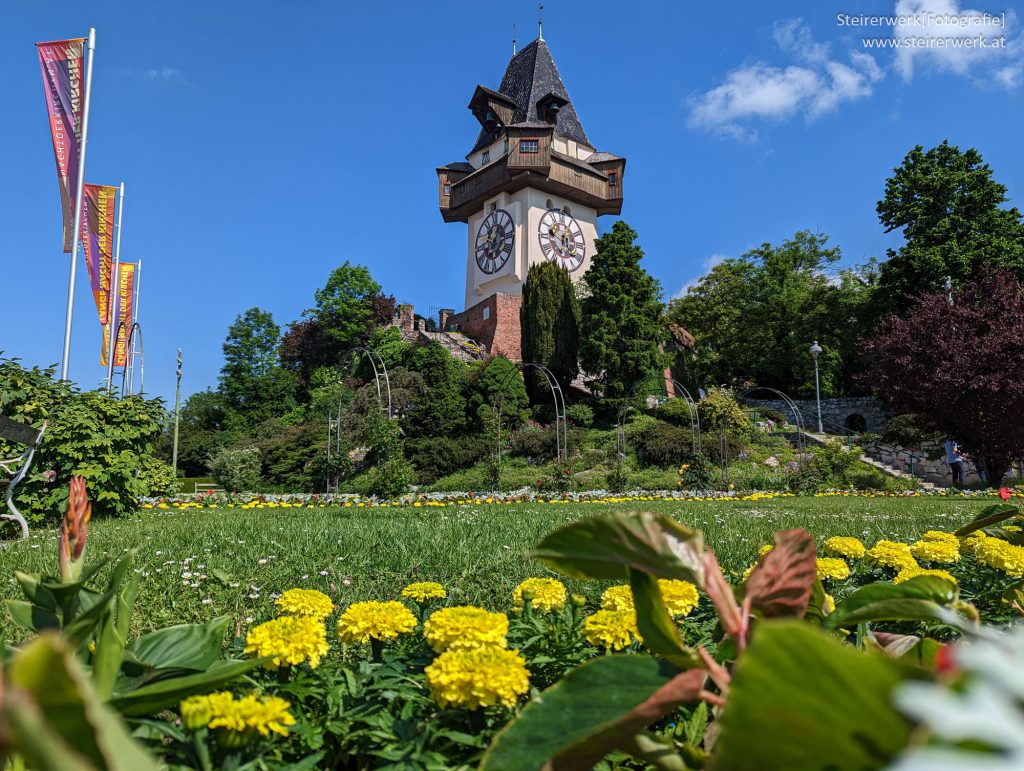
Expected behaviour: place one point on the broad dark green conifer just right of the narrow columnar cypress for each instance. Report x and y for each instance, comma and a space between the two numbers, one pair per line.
622, 318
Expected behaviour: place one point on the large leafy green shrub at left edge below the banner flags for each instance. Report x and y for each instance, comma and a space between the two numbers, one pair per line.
103, 440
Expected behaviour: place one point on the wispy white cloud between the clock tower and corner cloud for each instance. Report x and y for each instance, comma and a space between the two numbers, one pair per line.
818, 84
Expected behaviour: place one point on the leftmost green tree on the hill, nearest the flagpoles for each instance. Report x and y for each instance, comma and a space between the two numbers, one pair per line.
253, 383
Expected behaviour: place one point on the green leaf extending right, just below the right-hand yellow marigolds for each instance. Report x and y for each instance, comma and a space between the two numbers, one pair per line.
921, 599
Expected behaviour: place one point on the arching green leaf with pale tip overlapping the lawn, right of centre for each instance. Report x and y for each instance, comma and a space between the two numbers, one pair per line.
608, 546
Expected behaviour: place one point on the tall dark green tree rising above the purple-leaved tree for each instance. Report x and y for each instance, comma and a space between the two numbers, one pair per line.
952, 213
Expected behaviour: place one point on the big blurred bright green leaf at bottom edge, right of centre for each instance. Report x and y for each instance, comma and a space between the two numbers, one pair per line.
800, 700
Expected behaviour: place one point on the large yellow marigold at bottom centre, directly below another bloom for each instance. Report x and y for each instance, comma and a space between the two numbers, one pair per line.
482, 677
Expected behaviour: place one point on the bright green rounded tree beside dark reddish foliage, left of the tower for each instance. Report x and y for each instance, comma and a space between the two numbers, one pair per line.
346, 307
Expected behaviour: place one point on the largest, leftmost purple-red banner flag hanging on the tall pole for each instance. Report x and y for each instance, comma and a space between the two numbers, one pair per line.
63, 65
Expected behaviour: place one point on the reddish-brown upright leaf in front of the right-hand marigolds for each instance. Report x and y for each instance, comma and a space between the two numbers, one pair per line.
782, 583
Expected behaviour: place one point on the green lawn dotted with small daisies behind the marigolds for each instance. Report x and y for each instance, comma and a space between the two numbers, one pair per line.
201, 564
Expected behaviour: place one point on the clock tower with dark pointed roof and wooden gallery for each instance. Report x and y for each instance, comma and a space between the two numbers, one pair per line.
531, 190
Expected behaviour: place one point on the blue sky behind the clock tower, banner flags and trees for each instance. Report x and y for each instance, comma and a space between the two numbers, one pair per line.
265, 144
